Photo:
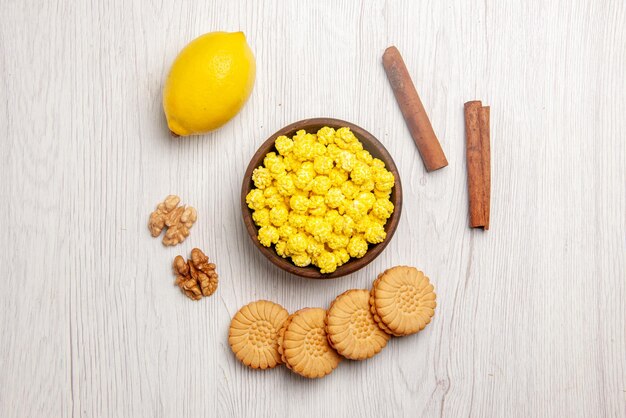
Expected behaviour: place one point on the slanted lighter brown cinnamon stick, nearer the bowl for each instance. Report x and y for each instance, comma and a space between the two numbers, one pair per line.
413, 110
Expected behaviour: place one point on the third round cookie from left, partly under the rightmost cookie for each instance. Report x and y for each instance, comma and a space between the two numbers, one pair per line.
351, 327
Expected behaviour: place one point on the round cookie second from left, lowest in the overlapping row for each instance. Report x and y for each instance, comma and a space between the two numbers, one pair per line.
305, 347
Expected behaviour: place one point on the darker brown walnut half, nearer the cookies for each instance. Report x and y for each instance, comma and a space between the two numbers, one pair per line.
196, 277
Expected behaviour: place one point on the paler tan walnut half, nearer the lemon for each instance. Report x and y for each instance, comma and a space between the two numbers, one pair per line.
177, 219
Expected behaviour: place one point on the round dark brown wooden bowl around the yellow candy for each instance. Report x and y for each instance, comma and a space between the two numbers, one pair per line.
371, 144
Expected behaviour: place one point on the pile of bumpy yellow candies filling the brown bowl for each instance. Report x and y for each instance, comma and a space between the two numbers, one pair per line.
322, 199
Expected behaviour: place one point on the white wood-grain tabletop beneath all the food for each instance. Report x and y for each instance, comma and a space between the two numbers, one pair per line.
531, 315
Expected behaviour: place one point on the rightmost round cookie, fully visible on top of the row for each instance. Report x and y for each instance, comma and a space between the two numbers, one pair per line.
402, 300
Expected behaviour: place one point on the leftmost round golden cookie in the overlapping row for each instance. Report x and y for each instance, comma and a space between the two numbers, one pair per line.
253, 334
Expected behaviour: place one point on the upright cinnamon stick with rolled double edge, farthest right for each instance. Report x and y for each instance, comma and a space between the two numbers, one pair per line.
478, 163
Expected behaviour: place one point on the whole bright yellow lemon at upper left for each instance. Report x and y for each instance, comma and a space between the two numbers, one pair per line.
209, 82
